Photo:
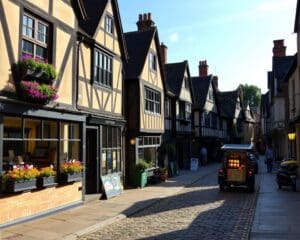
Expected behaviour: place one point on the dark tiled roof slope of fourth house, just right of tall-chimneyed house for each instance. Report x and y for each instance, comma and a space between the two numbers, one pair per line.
174, 73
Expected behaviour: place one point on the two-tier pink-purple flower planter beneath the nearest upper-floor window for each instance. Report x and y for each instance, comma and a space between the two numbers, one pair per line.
33, 79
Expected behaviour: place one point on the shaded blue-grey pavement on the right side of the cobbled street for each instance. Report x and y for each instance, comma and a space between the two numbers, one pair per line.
277, 211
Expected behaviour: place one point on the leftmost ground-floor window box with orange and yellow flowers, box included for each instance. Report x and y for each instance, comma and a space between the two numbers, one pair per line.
20, 178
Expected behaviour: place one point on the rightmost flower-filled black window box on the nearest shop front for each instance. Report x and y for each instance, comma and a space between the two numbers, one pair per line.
71, 171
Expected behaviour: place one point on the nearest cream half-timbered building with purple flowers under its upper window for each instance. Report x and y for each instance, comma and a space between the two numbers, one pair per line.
39, 123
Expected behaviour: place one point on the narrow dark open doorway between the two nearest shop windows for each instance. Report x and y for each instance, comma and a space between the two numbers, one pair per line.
92, 161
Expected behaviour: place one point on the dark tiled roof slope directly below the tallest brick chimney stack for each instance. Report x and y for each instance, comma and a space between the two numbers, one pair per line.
138, 44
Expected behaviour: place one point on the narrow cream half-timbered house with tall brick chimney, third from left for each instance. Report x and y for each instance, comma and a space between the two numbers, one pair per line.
144, 80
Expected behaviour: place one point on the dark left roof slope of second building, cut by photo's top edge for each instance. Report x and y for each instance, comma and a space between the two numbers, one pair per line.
94, 10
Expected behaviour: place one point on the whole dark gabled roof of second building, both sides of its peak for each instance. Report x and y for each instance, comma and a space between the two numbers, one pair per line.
94, 10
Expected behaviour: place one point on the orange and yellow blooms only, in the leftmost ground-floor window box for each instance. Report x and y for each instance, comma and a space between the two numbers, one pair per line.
21, 173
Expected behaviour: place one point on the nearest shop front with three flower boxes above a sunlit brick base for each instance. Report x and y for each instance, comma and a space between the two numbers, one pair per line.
39, 144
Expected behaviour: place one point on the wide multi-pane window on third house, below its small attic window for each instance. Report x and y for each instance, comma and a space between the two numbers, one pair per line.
152, 101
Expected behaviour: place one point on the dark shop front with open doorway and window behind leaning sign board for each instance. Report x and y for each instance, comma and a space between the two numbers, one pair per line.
104, 152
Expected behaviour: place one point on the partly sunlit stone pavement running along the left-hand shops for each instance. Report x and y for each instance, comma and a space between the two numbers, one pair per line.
98, 213
